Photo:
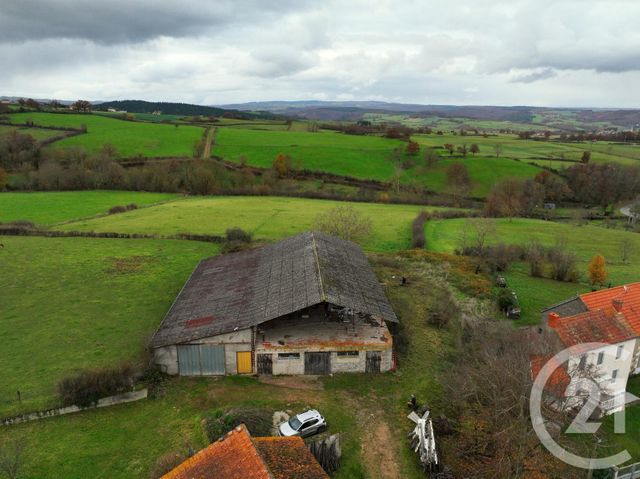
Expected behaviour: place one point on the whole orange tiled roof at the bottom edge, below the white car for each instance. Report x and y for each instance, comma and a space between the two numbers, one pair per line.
239, 456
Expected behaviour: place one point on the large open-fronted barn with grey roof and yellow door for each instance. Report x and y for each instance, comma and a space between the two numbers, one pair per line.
310, 304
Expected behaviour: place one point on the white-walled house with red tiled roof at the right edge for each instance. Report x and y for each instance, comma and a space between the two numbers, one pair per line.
611, 318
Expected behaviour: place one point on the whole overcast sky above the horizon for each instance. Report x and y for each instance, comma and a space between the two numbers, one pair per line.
492, 52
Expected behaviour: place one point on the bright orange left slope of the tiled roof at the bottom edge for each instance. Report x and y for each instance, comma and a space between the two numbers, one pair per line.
234, 456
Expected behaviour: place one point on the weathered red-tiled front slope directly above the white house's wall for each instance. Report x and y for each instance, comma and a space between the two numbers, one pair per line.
594, 327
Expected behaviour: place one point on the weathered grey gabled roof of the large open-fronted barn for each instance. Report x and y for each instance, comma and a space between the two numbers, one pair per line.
239, 290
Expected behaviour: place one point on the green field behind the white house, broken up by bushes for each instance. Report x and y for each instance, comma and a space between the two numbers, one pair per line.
535, 294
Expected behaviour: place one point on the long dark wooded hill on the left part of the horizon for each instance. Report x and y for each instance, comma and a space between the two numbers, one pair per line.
186, 109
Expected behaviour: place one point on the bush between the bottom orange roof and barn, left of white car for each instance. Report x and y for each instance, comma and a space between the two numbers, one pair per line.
259, 422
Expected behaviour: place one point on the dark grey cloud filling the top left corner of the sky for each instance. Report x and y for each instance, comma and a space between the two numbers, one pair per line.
127, 21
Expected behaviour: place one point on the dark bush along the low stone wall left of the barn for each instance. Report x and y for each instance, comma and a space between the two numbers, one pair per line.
86, 388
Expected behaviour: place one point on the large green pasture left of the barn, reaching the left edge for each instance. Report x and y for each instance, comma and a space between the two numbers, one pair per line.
73, 303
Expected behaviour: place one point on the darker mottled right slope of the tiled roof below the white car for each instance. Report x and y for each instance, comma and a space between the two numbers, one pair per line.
288, 457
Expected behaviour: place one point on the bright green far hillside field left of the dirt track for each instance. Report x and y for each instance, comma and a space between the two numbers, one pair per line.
130, 138
